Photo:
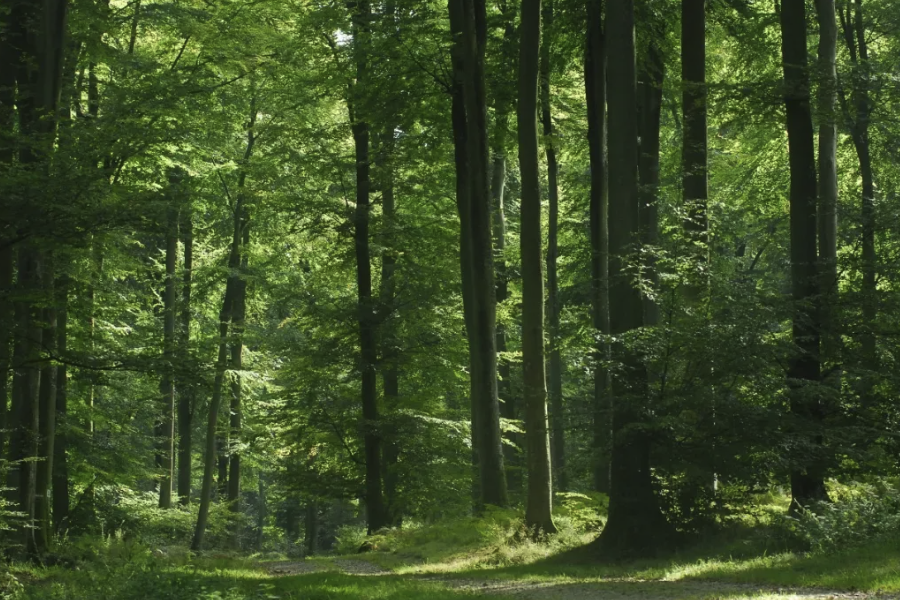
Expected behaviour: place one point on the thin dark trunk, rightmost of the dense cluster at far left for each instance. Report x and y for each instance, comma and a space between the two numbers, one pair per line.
60, 468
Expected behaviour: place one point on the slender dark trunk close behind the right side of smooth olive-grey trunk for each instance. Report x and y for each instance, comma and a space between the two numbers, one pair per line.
557, 415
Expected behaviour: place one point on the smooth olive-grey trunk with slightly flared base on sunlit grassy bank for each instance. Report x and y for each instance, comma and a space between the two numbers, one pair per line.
539, 504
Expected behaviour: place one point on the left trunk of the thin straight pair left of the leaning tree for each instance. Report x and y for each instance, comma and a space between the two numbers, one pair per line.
167, 383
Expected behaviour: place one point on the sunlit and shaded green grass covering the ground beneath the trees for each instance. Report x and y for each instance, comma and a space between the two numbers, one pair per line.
495, 549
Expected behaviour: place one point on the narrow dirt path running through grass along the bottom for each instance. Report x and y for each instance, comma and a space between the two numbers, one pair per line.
574, 590
